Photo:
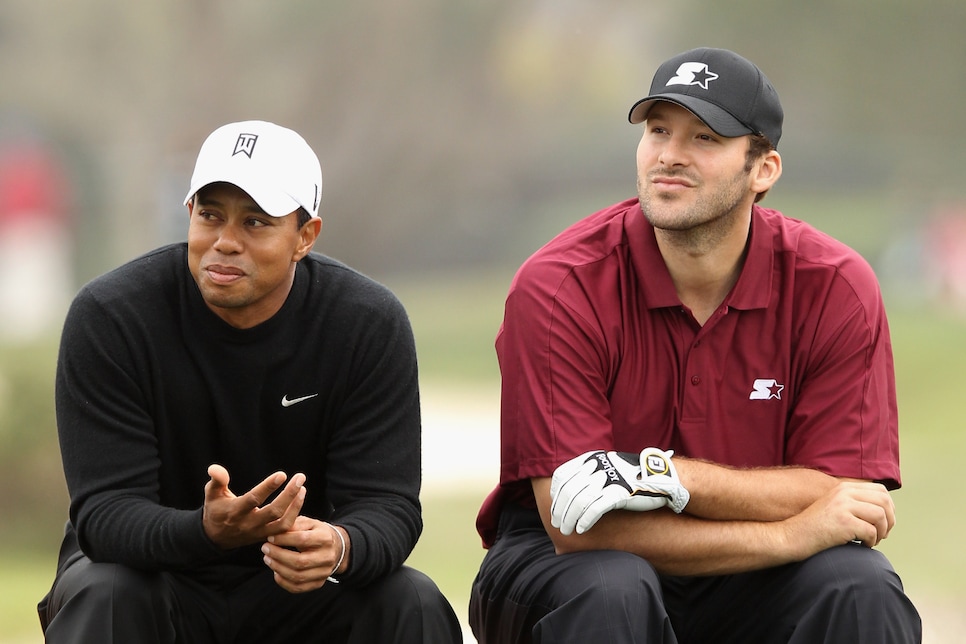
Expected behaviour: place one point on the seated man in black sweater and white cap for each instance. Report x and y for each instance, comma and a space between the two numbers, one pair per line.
240, 429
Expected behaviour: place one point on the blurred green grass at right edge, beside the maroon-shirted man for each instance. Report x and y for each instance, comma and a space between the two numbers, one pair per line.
926, 545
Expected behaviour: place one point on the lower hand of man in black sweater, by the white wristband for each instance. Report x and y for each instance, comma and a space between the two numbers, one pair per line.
306, 556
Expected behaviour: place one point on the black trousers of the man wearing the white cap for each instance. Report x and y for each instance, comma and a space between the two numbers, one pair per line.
104, 603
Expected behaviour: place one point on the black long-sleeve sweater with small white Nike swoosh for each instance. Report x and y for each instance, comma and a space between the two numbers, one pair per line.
152, 387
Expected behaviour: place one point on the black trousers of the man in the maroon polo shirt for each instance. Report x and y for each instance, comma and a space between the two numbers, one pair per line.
524, 593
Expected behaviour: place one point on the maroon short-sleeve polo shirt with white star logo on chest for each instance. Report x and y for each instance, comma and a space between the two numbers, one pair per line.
596, 351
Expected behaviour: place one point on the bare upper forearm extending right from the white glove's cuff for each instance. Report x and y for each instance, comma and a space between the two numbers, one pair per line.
766, 494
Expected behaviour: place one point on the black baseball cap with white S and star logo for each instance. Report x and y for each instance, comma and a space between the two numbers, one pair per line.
724, 90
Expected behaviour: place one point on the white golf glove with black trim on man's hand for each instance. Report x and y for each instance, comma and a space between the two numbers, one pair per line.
586, 487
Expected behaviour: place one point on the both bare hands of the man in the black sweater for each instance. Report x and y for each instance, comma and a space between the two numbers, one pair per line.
303, 553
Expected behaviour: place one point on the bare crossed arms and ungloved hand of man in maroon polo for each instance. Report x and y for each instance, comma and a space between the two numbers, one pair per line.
738, 520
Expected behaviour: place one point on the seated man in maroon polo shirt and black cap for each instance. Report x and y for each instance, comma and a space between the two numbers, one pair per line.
699, 428
